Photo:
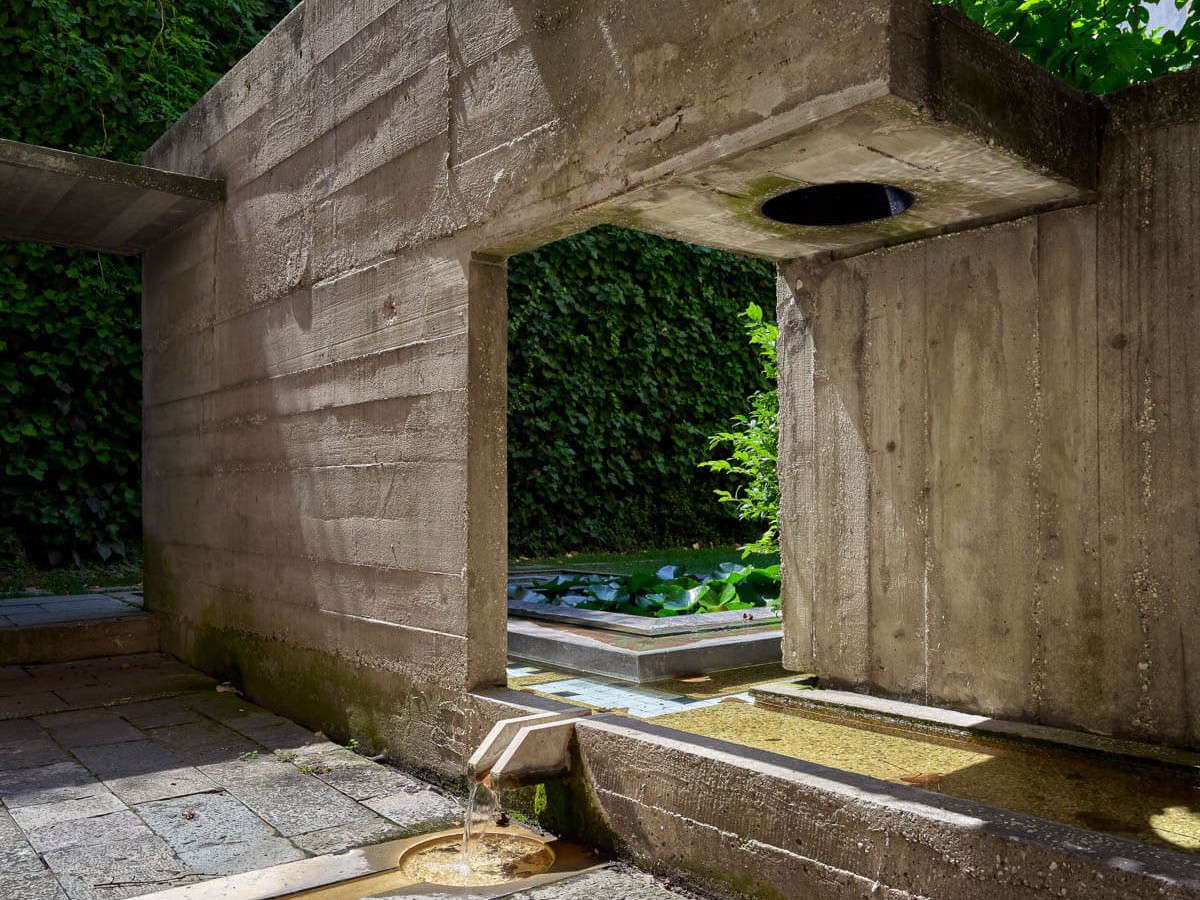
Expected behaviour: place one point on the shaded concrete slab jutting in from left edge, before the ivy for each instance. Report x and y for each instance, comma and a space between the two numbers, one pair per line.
74, 201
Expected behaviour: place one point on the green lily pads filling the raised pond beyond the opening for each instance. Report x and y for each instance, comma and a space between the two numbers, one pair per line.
668, 592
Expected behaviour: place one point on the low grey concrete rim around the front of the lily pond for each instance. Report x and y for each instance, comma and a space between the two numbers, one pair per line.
641, 659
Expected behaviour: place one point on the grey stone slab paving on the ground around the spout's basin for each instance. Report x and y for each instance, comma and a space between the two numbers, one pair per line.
134, 775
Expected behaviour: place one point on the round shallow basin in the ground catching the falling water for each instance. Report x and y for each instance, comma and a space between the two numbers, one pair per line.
494, 860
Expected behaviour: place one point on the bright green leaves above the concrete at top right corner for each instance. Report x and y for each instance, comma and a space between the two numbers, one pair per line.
1099, 46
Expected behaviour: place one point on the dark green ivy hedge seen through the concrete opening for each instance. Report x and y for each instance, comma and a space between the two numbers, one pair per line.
626, 353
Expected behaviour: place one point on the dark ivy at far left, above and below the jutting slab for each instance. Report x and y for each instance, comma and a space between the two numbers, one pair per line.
101, 77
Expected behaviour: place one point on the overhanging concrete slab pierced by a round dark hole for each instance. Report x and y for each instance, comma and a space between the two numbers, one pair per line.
974, 133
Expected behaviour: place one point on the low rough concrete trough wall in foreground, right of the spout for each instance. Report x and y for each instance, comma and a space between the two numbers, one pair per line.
772, 826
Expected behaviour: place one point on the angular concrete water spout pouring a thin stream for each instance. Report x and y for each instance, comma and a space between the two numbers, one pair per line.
526, 751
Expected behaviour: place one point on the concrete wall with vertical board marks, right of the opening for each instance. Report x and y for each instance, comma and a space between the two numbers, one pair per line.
989, 461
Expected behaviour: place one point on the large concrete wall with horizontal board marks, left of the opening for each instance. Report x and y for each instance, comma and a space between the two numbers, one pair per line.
325, 356
